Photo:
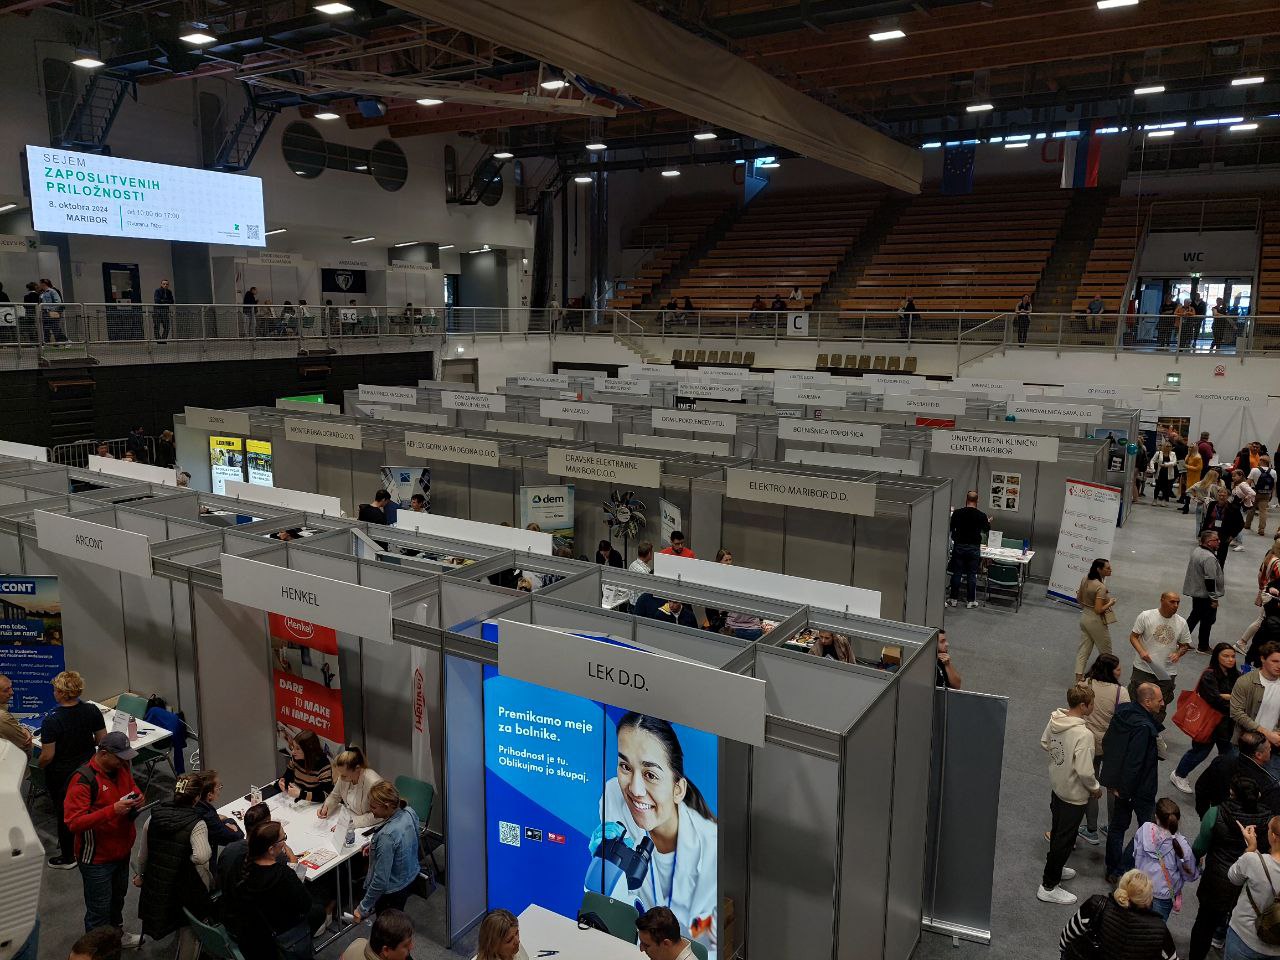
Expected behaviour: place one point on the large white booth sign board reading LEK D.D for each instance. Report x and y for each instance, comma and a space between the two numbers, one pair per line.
694, 694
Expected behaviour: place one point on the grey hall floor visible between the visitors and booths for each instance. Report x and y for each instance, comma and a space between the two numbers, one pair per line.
1027, 657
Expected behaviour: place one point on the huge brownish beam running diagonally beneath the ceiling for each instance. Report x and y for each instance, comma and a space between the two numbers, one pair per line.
621, 44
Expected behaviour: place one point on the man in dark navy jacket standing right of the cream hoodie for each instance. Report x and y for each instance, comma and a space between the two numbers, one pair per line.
1130, 770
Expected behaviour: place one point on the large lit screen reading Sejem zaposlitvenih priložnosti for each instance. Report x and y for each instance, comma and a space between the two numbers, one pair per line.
112, 196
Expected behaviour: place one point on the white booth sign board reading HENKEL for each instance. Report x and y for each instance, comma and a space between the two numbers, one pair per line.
349, 609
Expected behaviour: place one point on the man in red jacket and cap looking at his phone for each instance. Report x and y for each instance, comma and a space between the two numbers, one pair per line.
100, 808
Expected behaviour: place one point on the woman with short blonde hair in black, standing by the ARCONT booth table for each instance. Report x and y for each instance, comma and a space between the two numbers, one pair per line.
68, 739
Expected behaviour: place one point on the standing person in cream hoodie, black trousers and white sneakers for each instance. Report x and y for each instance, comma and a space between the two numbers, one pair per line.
1069, 746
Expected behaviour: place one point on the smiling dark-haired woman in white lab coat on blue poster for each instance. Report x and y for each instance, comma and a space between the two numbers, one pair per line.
651, 796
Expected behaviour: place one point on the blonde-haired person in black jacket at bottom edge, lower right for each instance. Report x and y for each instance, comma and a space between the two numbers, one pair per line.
1122, 926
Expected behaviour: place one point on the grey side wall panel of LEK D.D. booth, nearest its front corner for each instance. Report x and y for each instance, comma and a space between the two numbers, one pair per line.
865, 843
